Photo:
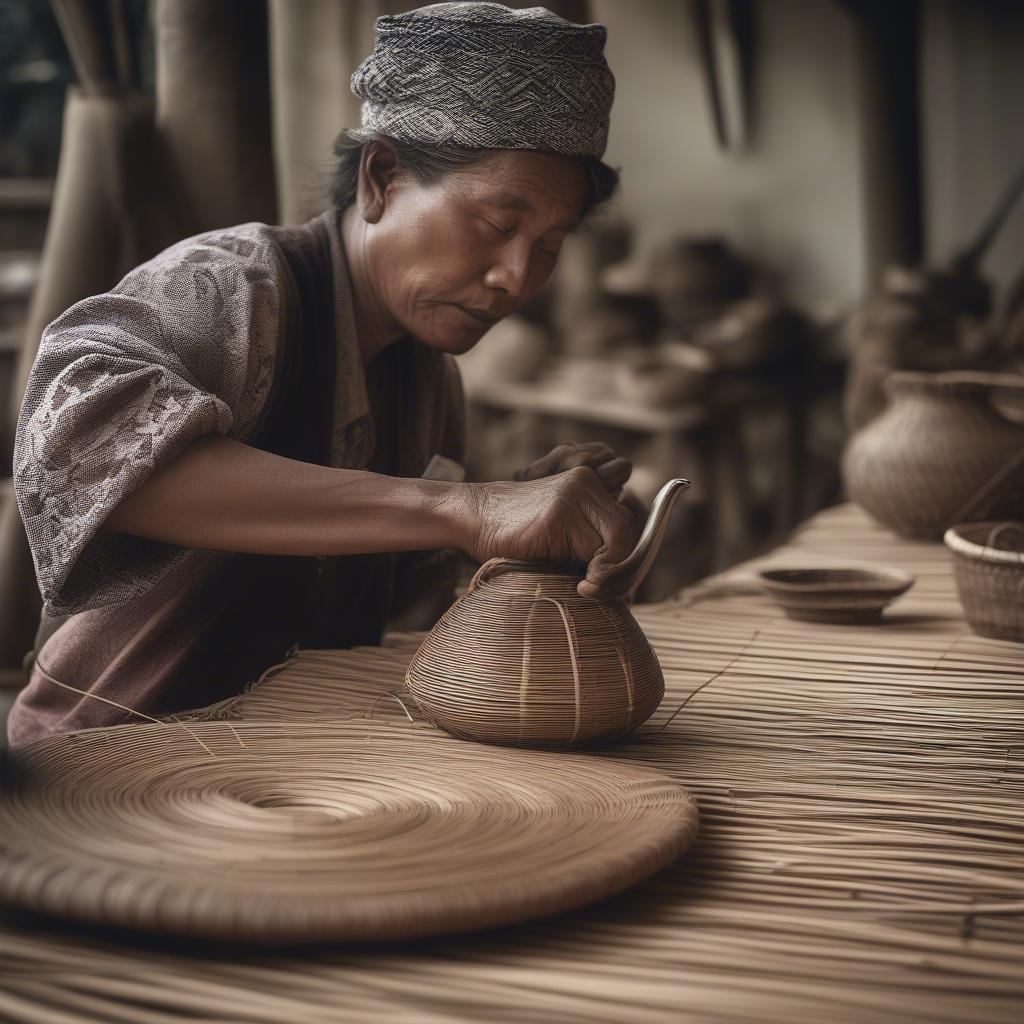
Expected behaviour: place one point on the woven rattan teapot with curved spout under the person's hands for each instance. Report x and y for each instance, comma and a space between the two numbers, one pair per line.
524, 660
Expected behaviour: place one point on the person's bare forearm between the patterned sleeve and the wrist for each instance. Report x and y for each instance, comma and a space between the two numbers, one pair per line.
226, 496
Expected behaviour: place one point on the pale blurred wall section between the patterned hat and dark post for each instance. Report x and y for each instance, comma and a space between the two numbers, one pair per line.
796, 197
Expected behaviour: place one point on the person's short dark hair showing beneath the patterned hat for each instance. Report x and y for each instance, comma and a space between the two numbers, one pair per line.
430, 164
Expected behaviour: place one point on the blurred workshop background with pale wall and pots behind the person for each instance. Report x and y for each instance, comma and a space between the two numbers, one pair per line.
814, 193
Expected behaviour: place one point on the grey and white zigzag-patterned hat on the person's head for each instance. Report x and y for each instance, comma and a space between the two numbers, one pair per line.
485, 76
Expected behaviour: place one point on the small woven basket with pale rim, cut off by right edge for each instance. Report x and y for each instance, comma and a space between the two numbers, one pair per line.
989, 566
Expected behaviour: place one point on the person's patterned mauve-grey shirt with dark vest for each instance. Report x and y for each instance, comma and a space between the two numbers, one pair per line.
248, 332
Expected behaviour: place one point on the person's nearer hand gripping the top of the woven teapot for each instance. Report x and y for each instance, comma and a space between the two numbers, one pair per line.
570, 517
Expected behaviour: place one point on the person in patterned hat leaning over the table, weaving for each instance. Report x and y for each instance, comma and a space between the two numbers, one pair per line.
224, 456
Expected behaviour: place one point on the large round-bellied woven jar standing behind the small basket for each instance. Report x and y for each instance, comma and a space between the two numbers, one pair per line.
940, 455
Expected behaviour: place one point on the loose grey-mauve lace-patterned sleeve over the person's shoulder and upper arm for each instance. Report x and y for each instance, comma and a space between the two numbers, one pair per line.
185, 346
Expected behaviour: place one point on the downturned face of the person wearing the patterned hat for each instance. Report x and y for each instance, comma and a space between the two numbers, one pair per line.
455, 258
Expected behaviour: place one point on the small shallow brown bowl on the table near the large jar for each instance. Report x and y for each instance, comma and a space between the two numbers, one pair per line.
840, 596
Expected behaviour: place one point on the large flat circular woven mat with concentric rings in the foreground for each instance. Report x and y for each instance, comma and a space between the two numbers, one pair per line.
284, 833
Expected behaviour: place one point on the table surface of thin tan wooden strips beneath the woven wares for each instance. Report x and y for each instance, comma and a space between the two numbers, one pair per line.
861, 861
